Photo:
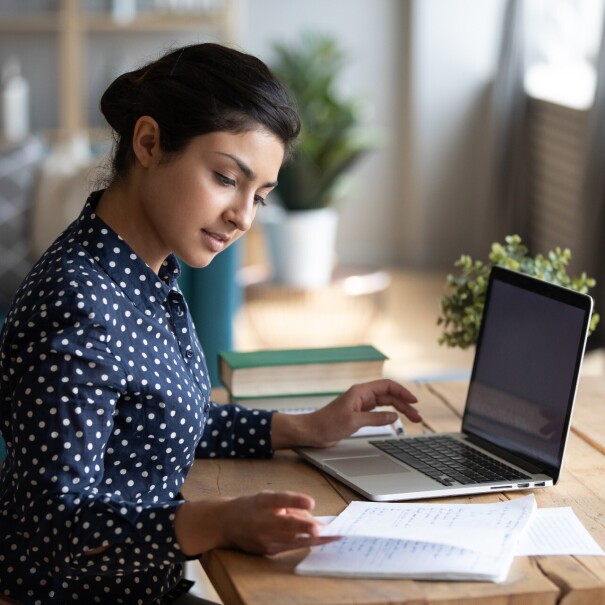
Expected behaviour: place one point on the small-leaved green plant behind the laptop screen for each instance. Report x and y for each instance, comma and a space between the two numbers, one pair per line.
464, 297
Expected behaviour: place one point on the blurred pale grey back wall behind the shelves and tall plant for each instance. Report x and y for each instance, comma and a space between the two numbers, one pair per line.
424, 67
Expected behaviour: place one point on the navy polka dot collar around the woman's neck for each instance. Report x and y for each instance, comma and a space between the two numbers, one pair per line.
134, 277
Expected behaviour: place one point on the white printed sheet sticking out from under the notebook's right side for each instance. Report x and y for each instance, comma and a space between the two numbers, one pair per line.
557, 531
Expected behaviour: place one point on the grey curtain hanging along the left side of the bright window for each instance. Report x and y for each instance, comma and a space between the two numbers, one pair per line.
504, 205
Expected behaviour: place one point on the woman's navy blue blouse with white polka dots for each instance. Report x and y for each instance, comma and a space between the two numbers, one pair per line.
104, 404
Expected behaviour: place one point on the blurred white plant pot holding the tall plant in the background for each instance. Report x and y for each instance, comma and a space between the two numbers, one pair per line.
301, 245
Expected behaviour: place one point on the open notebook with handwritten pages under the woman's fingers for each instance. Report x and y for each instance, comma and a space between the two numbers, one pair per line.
423, 541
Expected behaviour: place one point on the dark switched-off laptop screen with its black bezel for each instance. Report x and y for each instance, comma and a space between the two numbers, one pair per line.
528, 358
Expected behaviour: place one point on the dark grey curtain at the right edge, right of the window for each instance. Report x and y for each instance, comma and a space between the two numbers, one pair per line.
593, 202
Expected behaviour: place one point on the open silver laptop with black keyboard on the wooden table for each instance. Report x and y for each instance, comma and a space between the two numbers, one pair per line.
517, 413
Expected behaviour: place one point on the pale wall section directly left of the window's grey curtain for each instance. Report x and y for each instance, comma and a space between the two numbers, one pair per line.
452, 53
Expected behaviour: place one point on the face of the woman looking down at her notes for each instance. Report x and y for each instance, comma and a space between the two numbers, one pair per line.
200, 201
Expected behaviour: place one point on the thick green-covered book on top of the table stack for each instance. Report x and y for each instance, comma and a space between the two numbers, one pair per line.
280, 372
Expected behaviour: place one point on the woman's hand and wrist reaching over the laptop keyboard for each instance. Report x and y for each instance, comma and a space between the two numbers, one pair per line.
346, 414
